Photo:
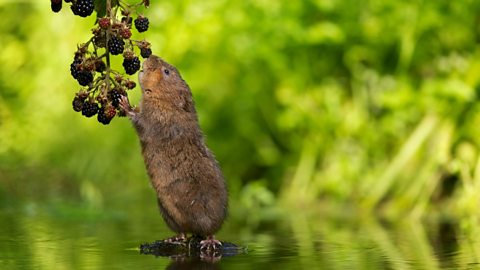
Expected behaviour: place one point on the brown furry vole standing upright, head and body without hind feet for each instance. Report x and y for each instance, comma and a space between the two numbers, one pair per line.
190, 188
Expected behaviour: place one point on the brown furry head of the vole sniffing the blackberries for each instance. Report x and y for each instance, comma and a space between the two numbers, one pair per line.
162, 82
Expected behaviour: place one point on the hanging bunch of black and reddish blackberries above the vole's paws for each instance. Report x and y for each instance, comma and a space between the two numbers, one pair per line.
101, 86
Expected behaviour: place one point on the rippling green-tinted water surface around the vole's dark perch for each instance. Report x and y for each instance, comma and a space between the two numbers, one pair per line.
42, 239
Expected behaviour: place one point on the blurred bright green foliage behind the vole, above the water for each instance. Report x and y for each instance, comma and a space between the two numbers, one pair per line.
317, 106
